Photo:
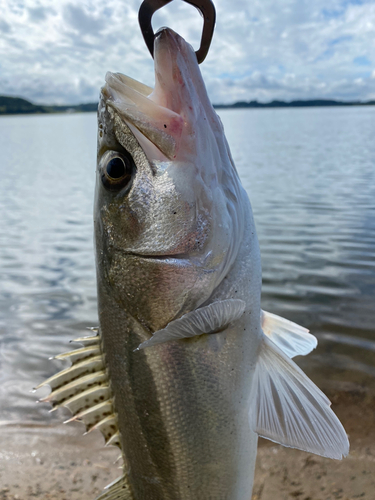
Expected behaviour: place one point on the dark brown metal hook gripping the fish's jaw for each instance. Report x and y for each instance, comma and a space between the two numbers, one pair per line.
206, 7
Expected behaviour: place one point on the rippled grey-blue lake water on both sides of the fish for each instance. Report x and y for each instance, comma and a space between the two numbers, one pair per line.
310, 175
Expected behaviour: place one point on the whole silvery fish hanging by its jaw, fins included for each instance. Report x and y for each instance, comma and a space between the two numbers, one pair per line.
185, 370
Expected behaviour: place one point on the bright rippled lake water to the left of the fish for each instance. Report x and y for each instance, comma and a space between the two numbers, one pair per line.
46, 252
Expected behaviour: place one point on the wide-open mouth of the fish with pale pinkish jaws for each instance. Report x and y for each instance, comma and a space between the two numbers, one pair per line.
169, 120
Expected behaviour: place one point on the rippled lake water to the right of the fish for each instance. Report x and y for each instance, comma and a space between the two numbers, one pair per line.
311, 179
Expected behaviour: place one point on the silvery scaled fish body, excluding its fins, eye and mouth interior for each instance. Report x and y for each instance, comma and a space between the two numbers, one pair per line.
182, 406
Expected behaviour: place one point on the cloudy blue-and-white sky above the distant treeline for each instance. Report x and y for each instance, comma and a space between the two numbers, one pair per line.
57, 52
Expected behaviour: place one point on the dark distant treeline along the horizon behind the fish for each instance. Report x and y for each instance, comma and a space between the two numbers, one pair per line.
17, 105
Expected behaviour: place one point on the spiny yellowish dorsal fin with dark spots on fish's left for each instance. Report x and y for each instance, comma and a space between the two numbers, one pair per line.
84, 389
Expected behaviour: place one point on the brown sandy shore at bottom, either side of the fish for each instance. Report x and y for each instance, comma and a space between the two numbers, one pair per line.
58, 463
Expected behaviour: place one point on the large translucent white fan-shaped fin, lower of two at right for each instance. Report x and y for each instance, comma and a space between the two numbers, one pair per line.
289, 409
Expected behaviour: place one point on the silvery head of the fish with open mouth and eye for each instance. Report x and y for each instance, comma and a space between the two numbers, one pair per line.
169, 211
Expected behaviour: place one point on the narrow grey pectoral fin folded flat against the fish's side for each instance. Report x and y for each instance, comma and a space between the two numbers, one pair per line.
210, 319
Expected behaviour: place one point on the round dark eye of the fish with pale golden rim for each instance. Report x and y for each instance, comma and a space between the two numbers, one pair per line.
116, 170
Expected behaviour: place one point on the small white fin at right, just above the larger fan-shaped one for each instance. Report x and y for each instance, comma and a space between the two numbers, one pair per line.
292, 339
